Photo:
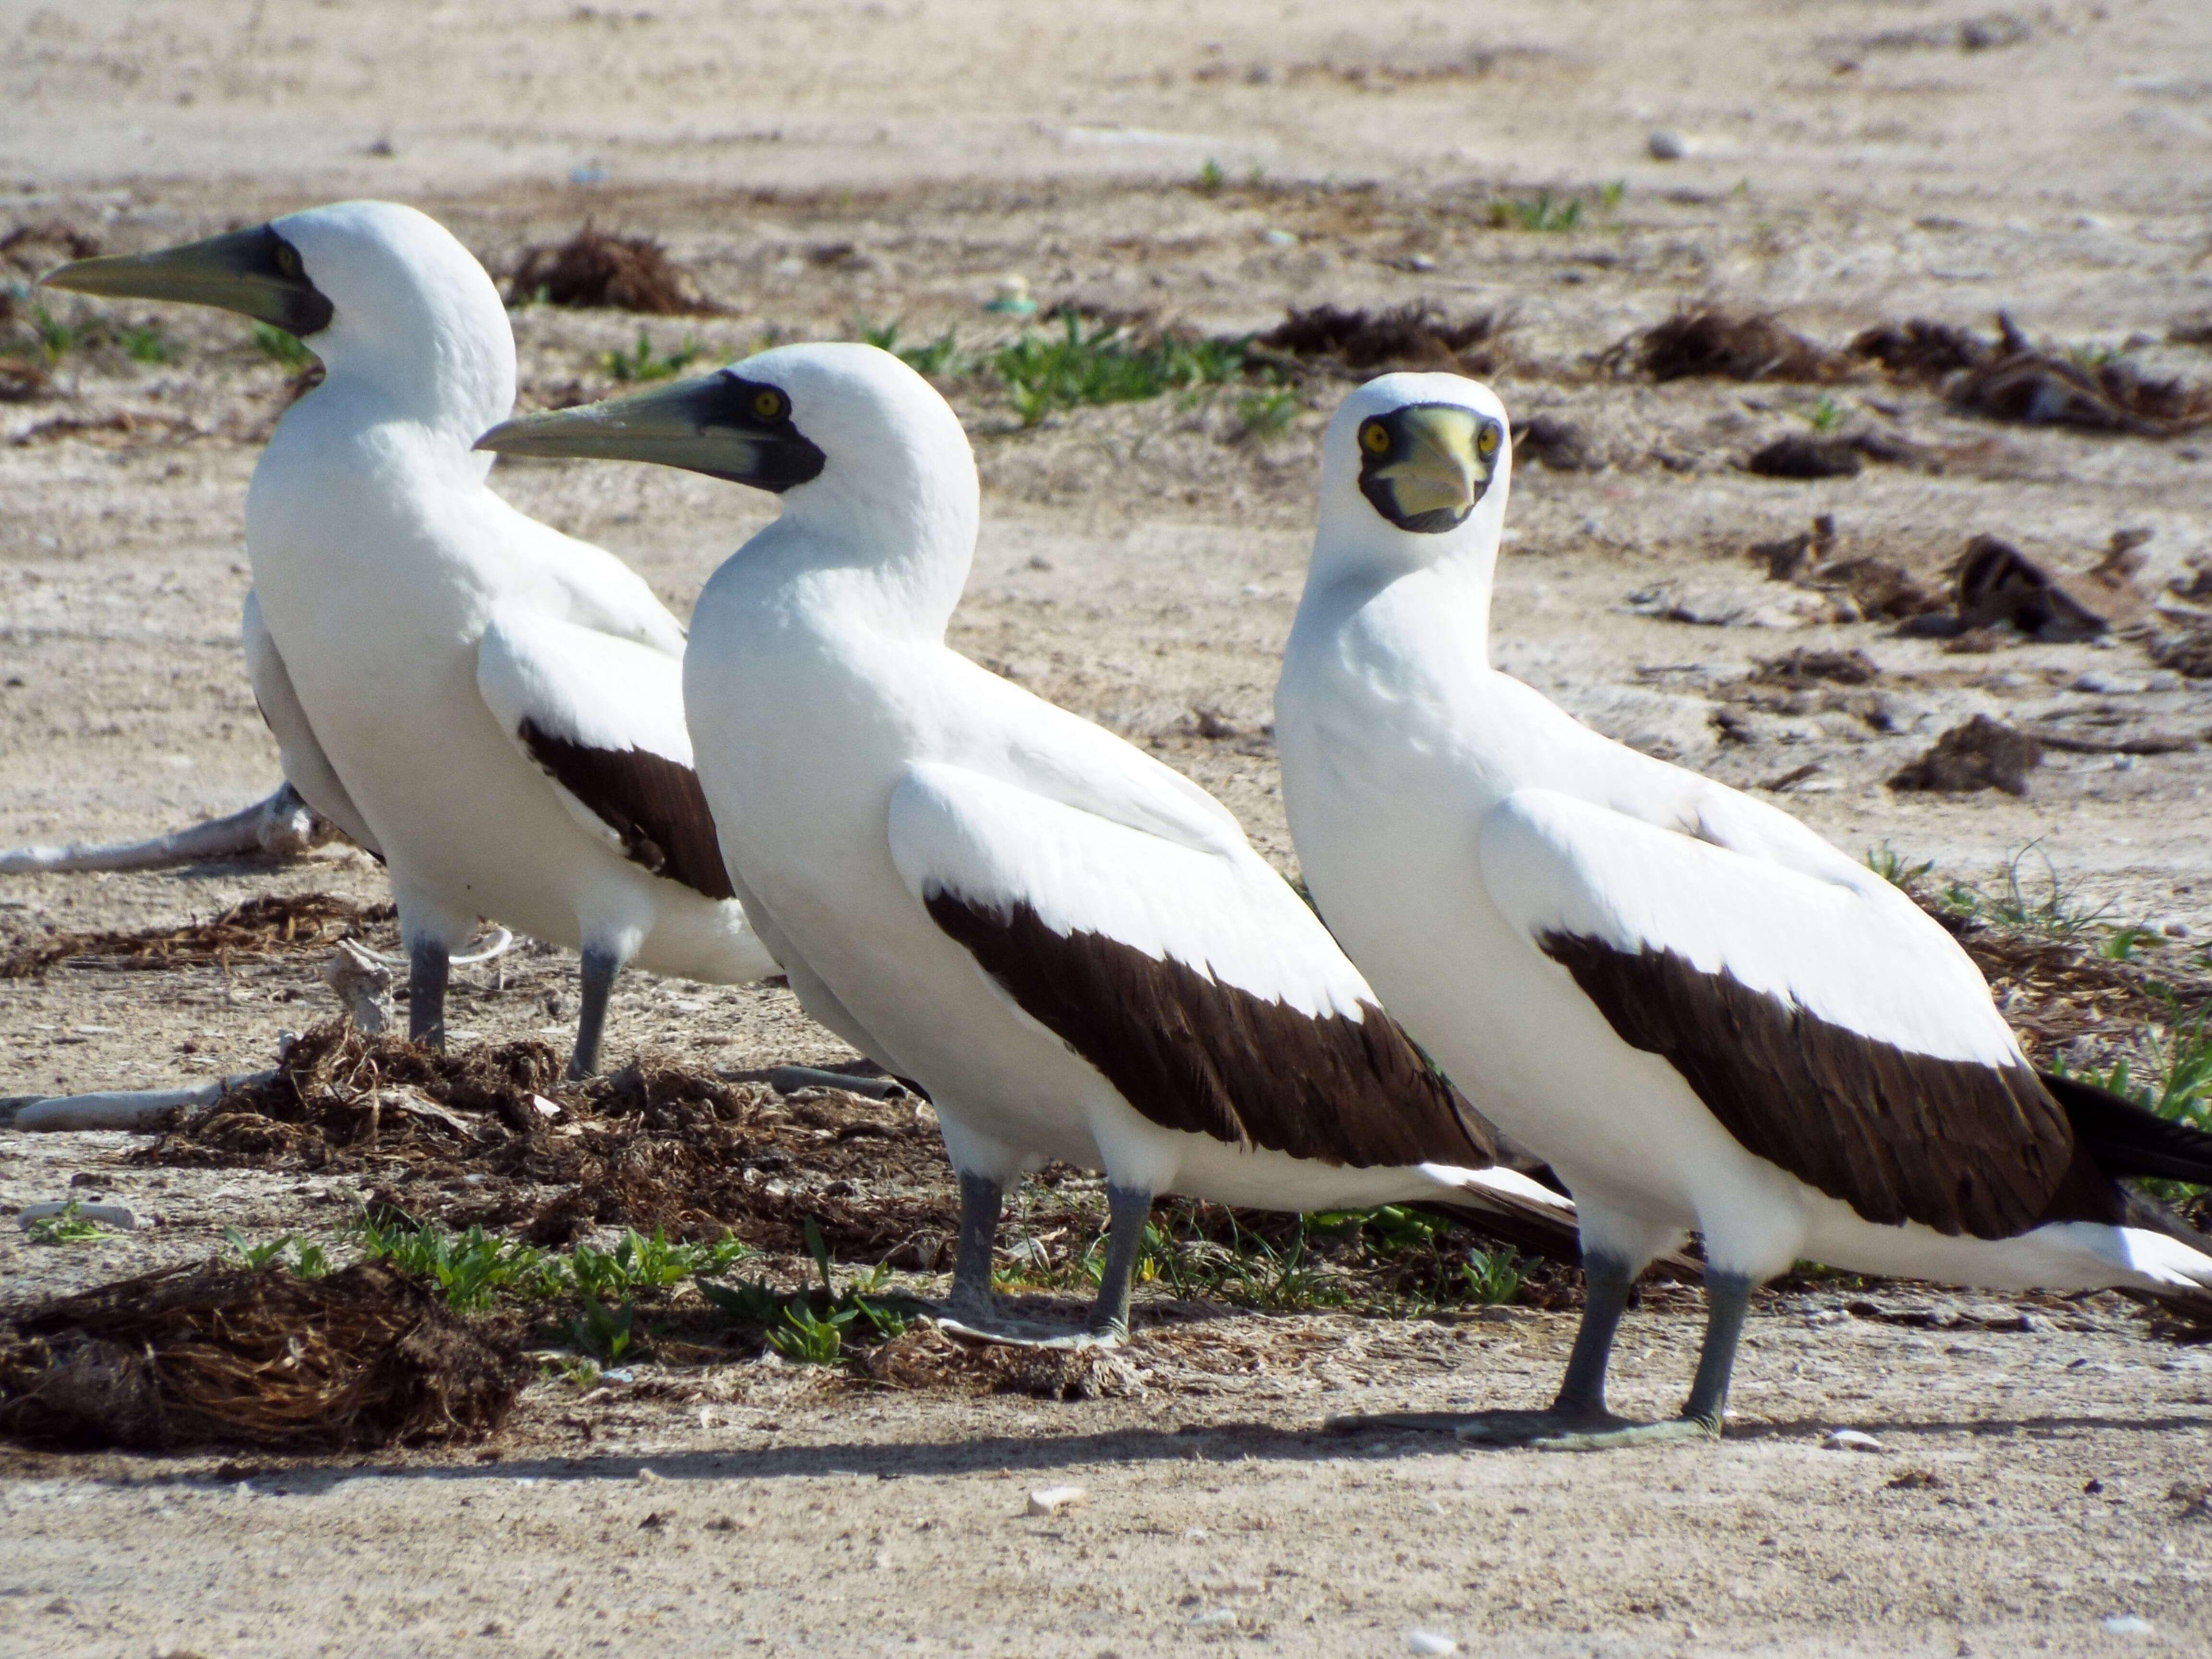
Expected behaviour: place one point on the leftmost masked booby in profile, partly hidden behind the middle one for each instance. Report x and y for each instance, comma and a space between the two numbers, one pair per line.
490, 707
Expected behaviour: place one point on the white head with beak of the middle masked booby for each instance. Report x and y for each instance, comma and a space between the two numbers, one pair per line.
870, 461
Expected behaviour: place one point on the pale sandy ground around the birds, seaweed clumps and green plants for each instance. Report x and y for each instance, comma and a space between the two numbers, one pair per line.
1140, 565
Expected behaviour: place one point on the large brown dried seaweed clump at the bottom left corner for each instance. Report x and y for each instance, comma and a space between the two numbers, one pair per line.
253, 1357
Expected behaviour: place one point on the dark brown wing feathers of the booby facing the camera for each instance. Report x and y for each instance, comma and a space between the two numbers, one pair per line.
1897, 1136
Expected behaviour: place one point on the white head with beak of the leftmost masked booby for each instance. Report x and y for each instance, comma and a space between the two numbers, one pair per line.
382, 293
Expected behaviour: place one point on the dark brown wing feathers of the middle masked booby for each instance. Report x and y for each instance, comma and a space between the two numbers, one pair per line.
1207, 1058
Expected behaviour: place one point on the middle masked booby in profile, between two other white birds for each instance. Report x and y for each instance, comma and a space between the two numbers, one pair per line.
1067, 943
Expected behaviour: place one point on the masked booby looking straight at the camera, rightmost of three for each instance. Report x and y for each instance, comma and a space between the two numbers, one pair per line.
1702, 1014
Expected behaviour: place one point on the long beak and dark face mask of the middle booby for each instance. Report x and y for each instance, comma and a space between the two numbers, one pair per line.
707, 426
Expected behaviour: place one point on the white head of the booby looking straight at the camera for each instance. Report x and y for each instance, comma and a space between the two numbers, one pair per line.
1415, 472
